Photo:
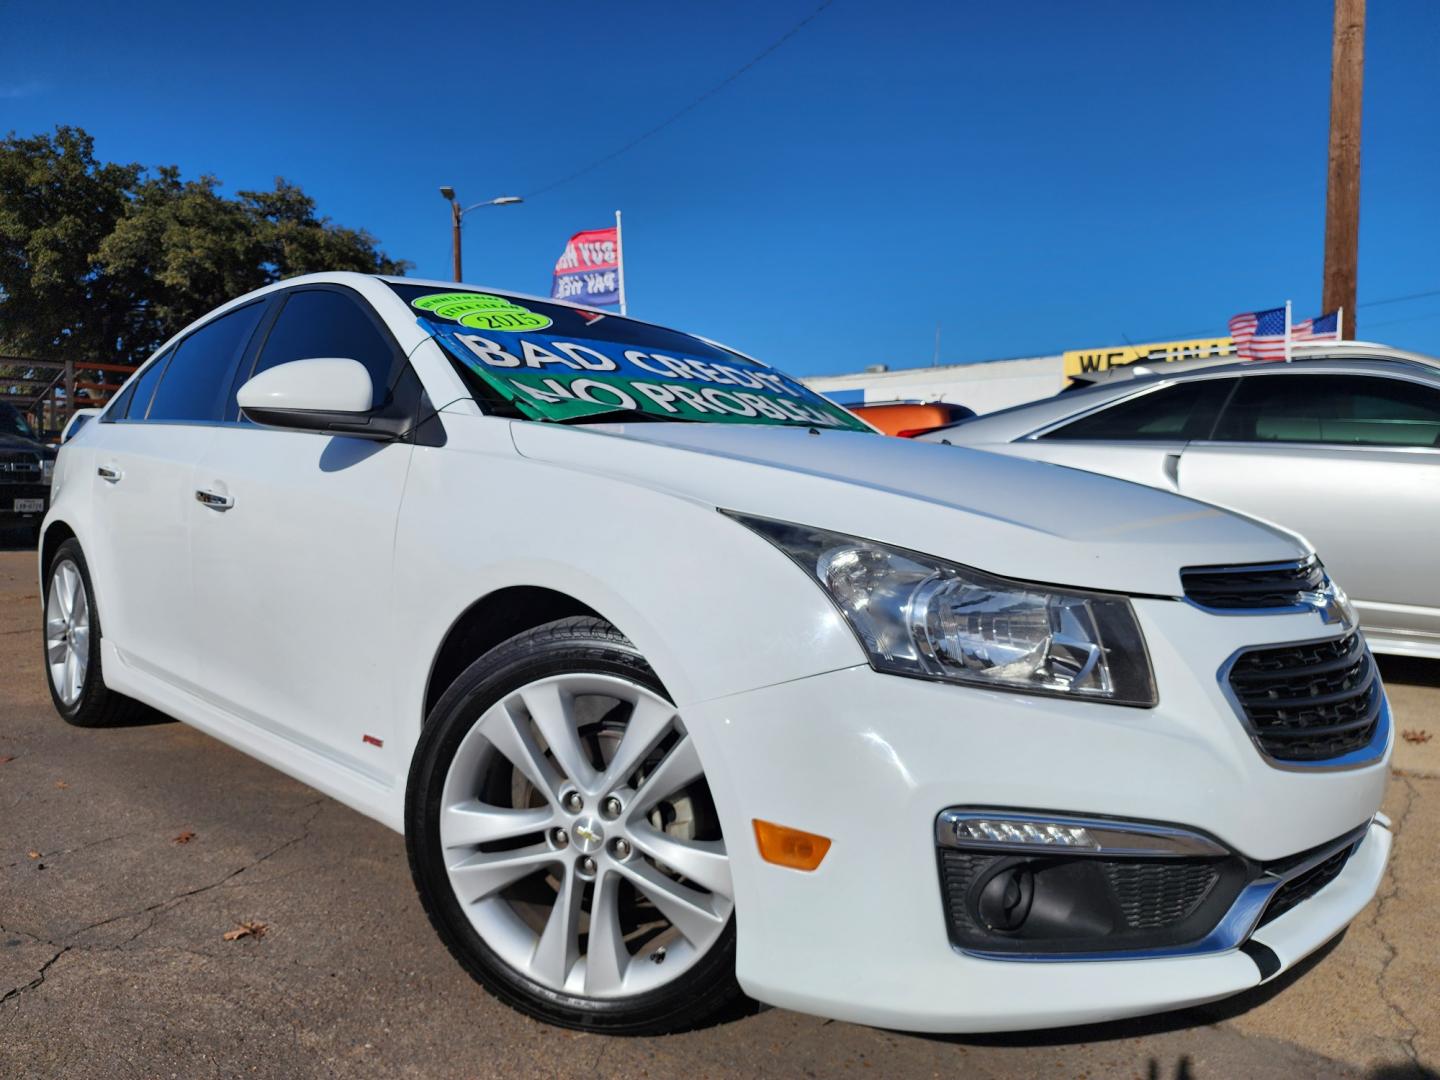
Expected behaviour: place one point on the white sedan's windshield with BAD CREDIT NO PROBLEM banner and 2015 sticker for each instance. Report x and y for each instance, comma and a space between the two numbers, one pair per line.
551, 362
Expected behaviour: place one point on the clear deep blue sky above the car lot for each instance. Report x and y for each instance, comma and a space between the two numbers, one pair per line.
1035, 176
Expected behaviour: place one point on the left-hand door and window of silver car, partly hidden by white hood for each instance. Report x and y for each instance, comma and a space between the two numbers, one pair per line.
1140, 437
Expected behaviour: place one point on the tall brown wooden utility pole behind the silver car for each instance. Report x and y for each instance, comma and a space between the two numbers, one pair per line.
1343, 188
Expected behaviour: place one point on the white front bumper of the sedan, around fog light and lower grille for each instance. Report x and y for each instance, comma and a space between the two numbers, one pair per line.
870, 761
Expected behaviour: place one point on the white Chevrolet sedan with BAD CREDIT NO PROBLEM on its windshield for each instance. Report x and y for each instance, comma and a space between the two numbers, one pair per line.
680, 683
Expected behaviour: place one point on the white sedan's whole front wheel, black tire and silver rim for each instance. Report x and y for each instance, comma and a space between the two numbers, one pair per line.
564, 839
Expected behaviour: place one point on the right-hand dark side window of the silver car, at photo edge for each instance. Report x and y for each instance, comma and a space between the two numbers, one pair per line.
1337, 410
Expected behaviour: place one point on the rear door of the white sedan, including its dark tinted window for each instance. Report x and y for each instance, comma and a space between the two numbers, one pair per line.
145, 495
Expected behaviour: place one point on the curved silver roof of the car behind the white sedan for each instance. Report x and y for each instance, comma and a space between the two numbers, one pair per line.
1022, 420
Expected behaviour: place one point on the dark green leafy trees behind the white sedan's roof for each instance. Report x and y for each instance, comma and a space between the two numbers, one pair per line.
103, 261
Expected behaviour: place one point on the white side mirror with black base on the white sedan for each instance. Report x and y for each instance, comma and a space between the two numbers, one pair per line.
322, 395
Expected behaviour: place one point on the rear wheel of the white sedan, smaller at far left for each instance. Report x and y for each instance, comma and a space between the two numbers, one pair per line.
73, 662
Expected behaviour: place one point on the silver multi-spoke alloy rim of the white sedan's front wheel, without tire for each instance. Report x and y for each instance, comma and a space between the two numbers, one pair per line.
580, 837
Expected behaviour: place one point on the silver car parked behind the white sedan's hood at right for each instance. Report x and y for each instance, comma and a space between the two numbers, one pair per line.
1341, 446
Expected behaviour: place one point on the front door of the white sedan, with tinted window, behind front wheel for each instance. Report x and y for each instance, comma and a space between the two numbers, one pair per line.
293, 551
